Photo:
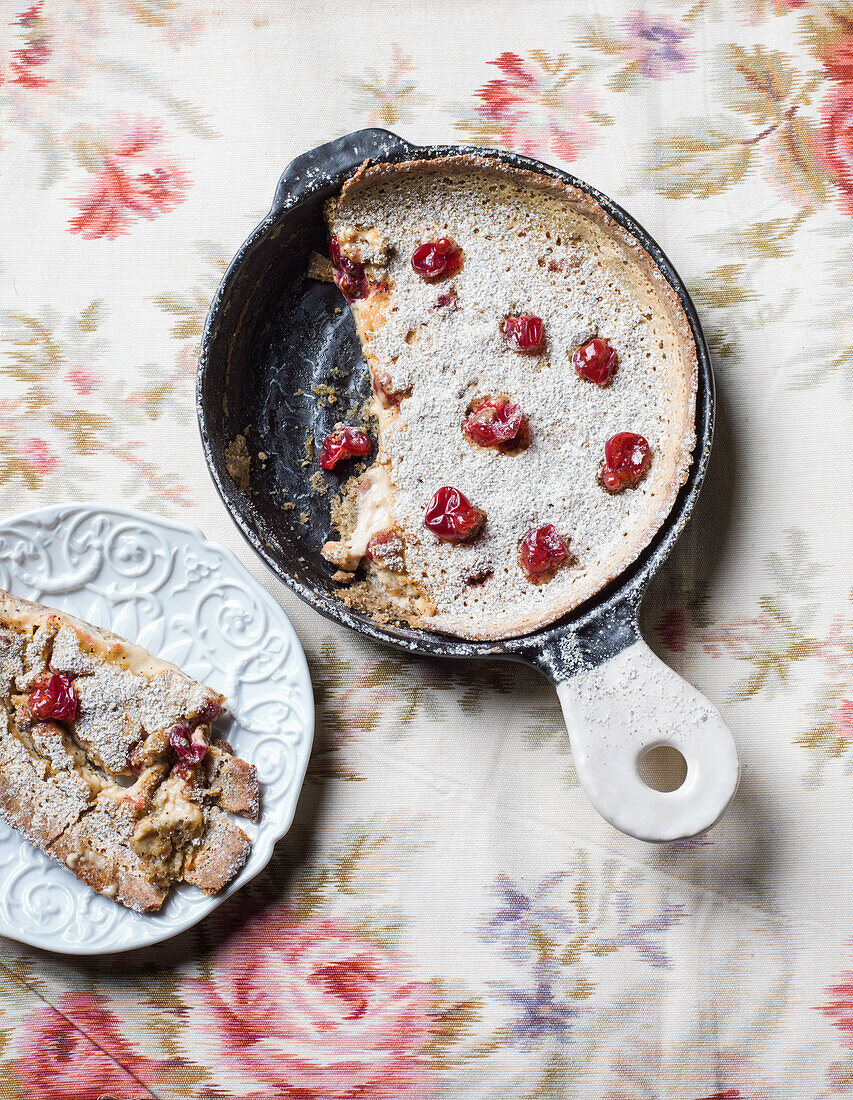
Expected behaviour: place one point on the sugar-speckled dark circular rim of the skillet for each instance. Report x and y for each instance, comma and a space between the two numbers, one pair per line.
622, 596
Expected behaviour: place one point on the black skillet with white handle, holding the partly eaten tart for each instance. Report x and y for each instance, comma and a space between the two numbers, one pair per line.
274, 336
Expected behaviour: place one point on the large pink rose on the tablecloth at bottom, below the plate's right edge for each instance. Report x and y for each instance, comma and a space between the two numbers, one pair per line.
308, 1009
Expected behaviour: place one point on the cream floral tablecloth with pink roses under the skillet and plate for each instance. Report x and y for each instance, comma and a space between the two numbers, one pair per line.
449, 918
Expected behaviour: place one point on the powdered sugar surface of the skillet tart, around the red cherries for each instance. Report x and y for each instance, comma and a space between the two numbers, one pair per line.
527, 251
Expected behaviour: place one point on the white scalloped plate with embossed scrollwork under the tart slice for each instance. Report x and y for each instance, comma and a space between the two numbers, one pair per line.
191, 602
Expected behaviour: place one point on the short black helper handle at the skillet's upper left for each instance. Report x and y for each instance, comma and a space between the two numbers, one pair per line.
344, 155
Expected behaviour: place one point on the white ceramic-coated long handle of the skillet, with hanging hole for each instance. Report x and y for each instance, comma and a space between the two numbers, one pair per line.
628, 706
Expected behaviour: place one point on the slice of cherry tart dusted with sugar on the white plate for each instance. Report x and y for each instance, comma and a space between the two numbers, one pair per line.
108, 763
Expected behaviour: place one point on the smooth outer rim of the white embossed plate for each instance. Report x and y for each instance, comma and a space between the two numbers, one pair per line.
155, 929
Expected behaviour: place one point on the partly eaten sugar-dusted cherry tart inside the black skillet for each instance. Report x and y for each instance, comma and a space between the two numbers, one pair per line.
534, 380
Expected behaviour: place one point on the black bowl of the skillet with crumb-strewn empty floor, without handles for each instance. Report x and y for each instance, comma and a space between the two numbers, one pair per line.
276, 338
